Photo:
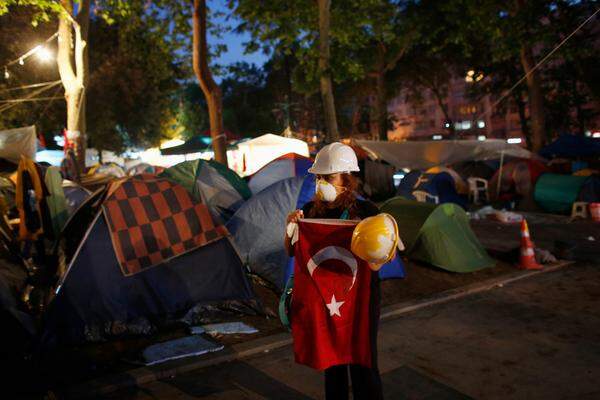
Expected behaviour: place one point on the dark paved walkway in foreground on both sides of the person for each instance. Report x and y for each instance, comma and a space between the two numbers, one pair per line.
534, 339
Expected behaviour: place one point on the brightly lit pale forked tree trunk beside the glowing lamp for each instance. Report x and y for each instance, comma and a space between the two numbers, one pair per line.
74, 48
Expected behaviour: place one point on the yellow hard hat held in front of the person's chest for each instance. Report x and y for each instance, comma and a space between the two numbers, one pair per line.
375, 239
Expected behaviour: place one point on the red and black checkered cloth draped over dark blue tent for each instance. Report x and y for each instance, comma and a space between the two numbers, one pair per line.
152, 220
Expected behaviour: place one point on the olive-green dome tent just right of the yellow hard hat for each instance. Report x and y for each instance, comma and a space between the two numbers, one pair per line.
438, 234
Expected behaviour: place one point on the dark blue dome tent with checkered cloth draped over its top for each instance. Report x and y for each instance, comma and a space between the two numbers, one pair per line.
151, 252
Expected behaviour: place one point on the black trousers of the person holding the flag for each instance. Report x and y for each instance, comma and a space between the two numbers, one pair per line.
366, 382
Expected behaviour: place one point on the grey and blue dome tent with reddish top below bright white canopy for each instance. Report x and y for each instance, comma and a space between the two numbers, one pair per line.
285, 166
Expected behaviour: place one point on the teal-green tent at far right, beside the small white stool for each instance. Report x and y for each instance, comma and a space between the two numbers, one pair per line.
557, 193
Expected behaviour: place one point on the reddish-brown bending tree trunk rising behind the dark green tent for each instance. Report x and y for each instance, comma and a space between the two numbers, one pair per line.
212, 91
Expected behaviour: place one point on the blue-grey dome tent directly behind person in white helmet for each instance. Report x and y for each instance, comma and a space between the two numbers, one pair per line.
258, 229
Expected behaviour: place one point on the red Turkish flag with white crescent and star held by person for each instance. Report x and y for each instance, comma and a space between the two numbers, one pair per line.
330, 300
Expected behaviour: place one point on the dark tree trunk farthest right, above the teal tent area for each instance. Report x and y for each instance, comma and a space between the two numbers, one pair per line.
536, 100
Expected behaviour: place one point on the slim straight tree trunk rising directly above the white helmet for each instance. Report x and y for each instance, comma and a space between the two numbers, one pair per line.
332, 133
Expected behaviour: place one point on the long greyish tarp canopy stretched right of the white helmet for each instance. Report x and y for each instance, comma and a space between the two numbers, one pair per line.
427, 154
